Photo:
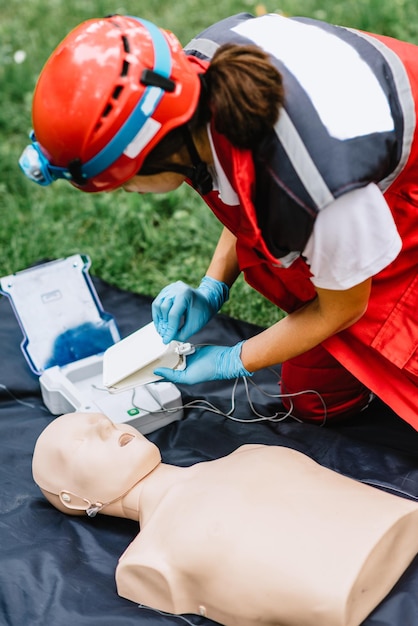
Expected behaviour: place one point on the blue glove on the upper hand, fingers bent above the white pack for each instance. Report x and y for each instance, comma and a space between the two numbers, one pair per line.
179, 303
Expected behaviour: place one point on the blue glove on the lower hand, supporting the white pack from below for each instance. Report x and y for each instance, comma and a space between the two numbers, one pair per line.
208, 363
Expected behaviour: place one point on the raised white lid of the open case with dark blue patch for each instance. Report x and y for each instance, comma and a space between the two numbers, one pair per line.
60, 313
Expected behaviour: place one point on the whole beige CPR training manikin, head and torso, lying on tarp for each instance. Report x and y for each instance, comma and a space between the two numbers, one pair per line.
261, 536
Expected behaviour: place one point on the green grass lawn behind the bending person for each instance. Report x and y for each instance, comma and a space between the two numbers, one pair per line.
139, 244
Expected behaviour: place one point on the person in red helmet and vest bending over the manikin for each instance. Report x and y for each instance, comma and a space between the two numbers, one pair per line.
301, 137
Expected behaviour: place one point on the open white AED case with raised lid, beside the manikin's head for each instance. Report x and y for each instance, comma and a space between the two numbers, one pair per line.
65, 333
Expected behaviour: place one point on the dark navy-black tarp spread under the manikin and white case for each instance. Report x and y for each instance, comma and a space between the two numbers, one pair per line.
59, 570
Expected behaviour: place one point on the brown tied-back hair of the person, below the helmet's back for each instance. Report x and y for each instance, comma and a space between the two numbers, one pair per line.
241, 91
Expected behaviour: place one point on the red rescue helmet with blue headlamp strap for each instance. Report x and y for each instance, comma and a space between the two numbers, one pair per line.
106, 96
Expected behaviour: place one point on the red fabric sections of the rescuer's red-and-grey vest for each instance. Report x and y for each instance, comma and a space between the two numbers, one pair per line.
381, 348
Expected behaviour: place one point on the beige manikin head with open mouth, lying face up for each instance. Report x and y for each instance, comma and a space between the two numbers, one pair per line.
83, 461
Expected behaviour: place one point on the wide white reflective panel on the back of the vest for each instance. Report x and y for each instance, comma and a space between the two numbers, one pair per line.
355, 105
